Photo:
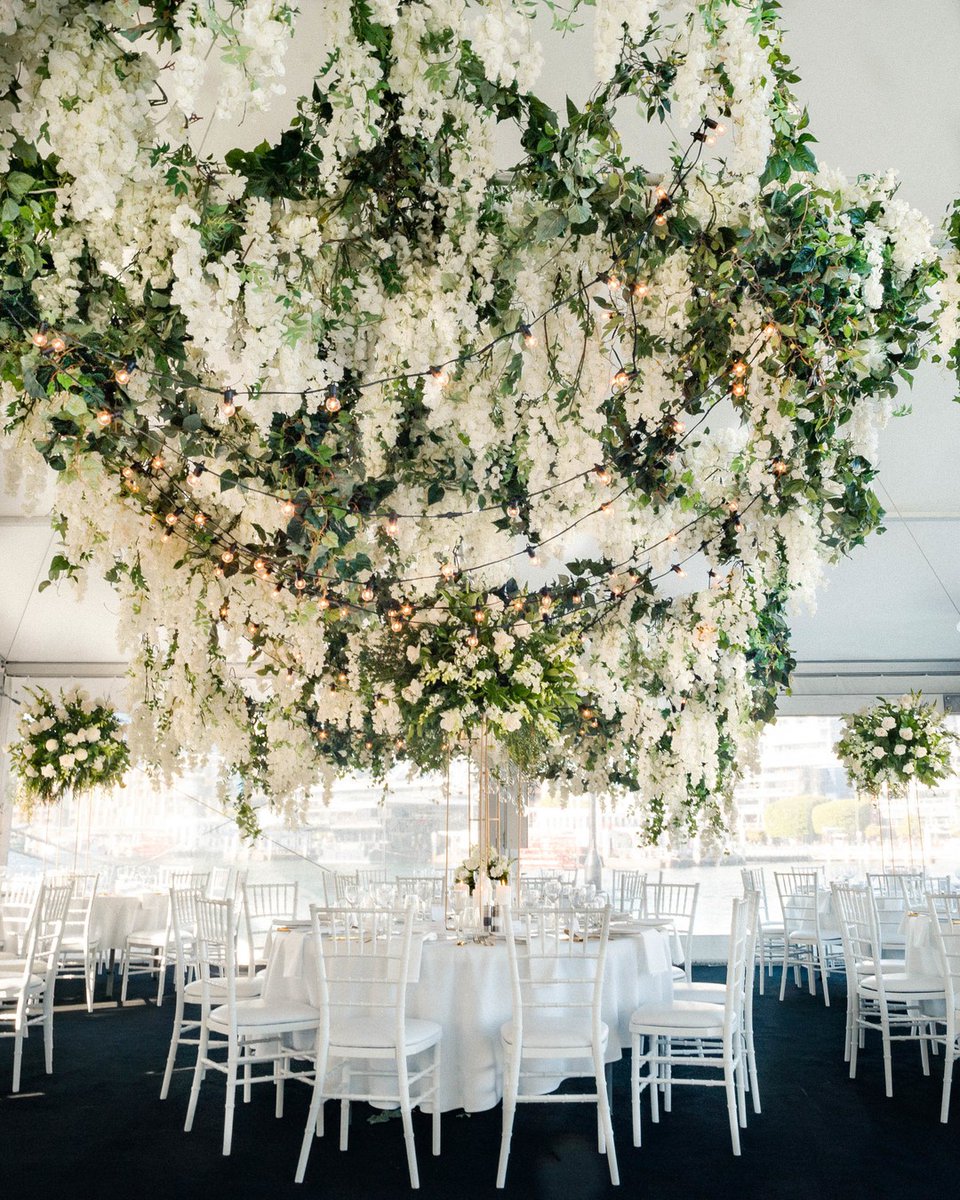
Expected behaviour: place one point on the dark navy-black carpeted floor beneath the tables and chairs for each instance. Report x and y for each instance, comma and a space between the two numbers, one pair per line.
97, 1129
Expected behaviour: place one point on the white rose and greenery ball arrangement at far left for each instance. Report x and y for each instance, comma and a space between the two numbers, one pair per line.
67, 745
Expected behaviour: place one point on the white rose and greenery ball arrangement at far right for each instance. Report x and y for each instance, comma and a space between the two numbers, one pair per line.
895, 743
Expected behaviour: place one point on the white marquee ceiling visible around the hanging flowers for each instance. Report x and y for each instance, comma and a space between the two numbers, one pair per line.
879, 79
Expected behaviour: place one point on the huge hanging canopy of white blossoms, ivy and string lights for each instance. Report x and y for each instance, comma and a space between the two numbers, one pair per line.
383, 443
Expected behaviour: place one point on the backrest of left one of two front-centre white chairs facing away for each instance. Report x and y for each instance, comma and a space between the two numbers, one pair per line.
369, 958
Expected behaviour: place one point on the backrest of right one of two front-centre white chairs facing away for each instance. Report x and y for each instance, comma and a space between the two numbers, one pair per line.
557, 958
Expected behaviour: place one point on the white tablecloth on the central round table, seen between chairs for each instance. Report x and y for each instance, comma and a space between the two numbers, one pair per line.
467, 991
